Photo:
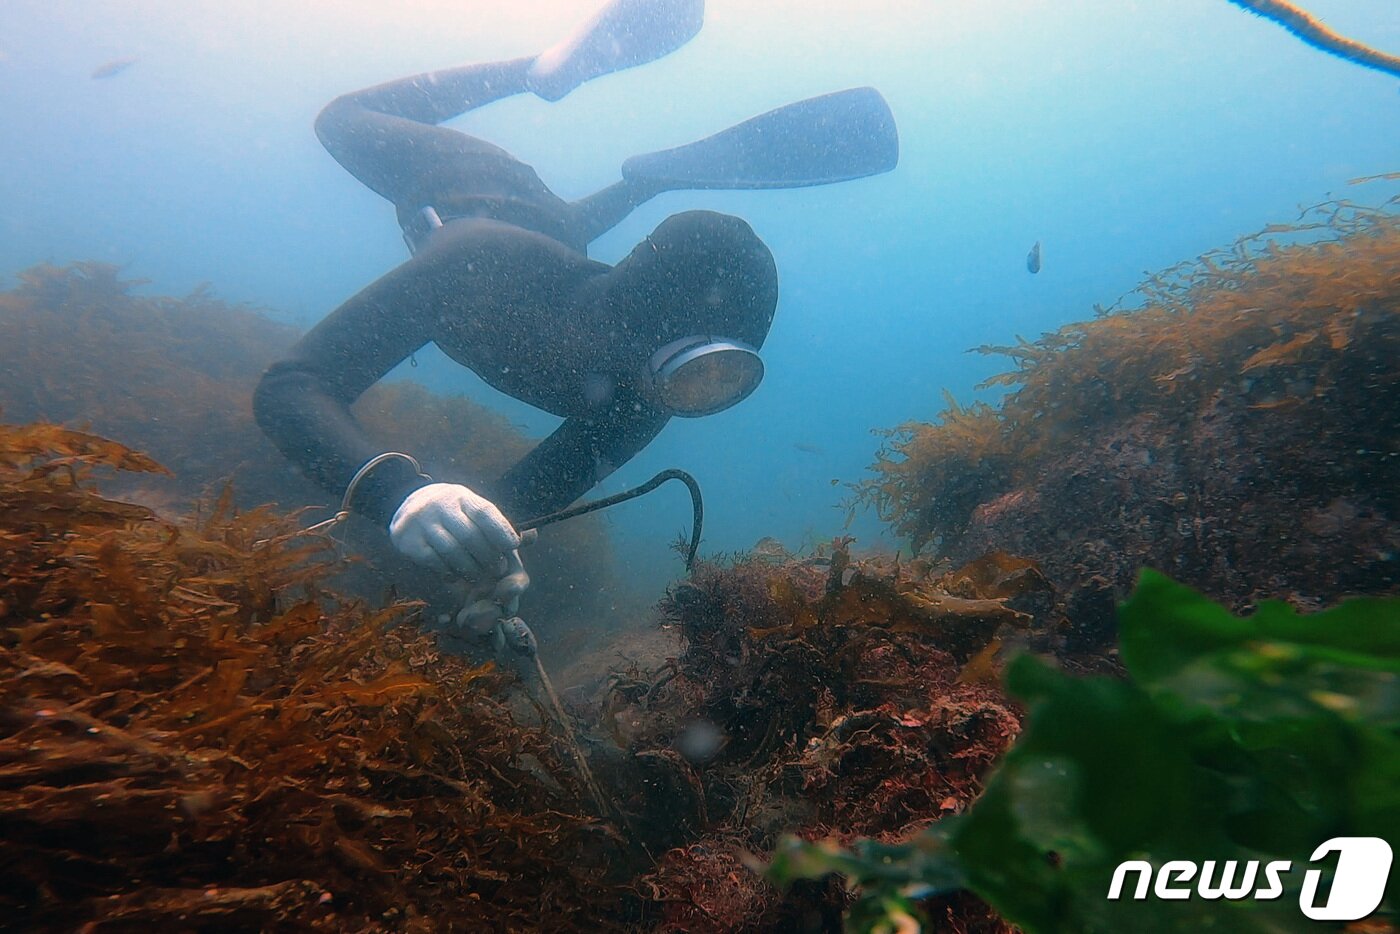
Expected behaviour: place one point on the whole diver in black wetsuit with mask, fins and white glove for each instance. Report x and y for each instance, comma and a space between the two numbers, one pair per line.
502, 282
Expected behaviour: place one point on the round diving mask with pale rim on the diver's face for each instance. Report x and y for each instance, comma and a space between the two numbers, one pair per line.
701, 376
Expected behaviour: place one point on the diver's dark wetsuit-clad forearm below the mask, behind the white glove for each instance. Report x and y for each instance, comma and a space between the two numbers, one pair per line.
576, 457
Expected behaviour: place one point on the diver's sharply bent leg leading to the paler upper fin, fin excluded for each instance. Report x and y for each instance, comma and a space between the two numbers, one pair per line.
387, 137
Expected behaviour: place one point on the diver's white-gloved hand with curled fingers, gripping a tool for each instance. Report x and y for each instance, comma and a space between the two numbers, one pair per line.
453, 530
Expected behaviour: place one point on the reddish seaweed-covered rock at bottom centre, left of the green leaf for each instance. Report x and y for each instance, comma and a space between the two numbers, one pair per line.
841, 698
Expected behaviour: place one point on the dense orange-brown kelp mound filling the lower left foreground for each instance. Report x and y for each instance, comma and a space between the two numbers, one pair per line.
195, 734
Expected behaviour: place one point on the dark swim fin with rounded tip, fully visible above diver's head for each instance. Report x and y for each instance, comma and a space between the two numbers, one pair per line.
827, 139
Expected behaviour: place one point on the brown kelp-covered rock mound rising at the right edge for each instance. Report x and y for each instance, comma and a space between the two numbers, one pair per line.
1235, 428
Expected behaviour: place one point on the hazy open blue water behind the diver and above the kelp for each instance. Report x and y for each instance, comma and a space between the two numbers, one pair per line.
1125, 137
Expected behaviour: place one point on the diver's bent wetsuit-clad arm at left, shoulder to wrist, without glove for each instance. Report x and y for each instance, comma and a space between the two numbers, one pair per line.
303, 403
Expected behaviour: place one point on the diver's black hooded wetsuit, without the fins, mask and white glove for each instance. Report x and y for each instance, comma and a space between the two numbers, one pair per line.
505, 288
